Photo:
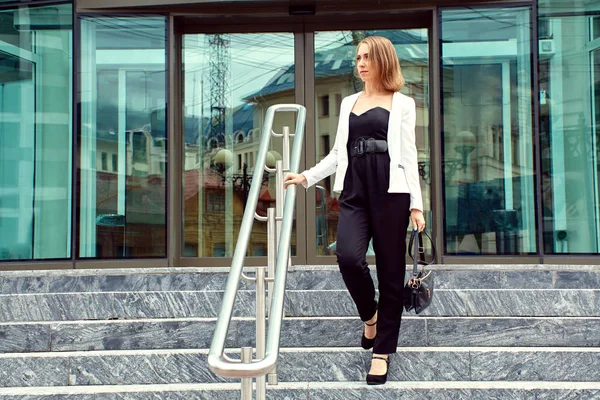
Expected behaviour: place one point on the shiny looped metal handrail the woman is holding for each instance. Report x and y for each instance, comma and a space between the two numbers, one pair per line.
279, 244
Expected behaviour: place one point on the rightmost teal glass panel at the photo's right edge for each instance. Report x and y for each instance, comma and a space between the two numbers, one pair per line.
569, 65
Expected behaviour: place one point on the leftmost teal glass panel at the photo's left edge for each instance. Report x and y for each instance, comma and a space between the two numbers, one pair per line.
35, 133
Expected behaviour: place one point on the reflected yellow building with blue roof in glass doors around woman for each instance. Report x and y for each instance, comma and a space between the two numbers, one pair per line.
334, 80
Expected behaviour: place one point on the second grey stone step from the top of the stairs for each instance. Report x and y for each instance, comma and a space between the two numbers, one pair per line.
298, 303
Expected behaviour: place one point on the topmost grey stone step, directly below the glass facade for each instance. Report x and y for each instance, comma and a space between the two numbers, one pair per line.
300, 278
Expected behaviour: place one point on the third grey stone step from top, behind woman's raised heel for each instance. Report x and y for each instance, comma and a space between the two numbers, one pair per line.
196, 333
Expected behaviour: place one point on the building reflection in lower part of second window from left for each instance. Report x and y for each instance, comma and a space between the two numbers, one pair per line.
139, 191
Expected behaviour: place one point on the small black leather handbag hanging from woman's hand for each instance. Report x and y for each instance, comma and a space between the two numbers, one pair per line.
419, 288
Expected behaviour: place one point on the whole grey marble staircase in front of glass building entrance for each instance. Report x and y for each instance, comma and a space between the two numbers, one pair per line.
493, 332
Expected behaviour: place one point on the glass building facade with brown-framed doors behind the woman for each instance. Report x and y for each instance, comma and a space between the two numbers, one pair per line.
129, 129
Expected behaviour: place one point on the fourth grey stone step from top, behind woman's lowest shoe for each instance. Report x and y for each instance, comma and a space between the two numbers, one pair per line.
147, 367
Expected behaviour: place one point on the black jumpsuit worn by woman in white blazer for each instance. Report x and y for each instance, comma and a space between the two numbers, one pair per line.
368, 211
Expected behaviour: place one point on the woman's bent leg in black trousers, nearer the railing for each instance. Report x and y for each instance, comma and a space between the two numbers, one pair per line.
353, 236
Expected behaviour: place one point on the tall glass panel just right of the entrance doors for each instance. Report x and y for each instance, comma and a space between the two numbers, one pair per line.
487, 142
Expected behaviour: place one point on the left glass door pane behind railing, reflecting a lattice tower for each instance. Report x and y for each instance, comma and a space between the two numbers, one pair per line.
229, 82
